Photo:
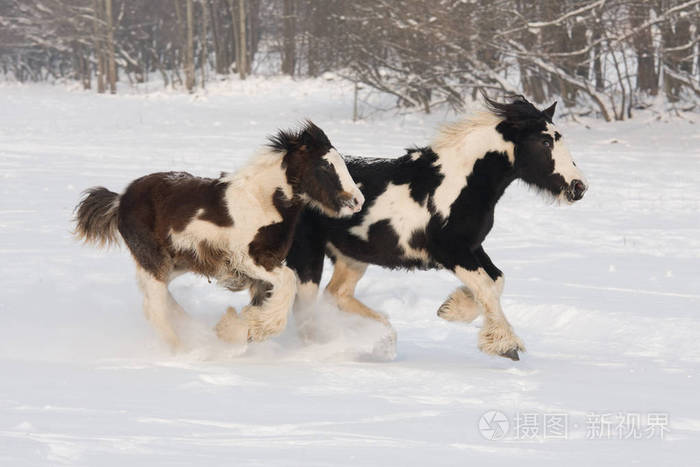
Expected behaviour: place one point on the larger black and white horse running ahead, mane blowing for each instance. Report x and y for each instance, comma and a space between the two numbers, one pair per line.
432, 208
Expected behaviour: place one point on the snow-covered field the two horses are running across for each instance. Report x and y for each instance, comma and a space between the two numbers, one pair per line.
605, 294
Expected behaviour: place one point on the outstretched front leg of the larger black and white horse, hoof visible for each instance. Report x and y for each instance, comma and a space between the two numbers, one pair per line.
485, 282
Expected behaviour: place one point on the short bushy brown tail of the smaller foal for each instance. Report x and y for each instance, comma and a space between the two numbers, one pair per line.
96, 217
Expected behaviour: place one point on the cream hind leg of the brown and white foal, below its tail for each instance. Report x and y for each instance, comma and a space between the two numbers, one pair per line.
158, 305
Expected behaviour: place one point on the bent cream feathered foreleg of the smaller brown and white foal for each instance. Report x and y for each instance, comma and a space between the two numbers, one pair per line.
267, 313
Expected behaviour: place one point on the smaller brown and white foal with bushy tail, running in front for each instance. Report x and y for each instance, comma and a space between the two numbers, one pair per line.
236, 229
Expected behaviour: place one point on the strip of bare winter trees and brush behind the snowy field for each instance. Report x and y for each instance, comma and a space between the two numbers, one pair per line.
602, 58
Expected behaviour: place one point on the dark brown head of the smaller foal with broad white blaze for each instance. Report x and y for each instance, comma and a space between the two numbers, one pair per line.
316, 172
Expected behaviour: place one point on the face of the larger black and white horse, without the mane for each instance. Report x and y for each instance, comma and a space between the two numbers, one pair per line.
545, 162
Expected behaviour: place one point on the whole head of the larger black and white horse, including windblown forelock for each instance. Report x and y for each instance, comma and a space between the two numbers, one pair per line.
541, 156
